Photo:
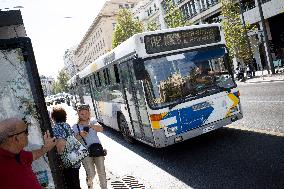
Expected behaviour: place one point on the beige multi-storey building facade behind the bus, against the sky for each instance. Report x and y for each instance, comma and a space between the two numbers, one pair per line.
98, 39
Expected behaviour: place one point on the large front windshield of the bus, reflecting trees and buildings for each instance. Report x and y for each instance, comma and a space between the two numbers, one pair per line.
185, 76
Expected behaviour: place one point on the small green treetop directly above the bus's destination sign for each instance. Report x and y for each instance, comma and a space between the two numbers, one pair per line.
174, 16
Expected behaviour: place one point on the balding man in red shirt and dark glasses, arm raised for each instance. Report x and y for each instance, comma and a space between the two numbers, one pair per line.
15, 163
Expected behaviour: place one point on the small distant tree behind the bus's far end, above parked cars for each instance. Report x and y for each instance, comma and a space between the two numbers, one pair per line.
60, 85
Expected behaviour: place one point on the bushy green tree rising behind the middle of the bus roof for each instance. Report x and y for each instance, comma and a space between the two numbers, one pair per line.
125, 27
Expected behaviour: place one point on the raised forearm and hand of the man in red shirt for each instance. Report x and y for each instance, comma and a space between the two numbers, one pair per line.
49, 143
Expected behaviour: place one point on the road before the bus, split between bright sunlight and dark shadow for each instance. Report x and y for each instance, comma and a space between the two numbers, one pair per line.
226, 158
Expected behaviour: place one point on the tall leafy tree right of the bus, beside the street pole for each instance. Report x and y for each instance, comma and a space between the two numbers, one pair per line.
234, 31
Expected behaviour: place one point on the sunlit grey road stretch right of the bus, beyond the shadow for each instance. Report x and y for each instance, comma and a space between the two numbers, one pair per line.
263, 106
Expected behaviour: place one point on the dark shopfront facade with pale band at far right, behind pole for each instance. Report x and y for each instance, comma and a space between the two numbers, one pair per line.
273, 13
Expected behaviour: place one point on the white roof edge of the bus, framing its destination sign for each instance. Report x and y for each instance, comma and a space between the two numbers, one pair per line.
135, 45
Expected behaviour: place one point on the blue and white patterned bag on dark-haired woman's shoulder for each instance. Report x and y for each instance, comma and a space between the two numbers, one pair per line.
74, 152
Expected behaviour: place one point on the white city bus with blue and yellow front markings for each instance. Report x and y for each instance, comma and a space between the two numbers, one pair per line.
163, 87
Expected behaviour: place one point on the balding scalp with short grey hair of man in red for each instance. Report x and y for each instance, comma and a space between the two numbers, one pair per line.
7, 128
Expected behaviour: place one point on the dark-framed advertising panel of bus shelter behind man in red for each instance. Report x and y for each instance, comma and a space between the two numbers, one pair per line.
21, 96
